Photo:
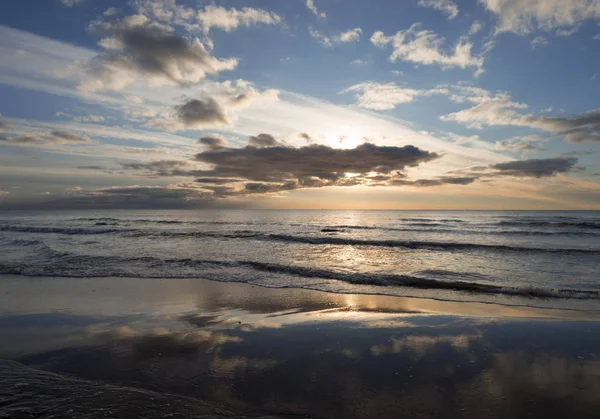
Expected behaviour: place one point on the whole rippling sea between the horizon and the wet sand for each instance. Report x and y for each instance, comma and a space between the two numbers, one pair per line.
533, 258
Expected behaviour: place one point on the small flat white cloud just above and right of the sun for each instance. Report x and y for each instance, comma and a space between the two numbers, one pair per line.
380, 96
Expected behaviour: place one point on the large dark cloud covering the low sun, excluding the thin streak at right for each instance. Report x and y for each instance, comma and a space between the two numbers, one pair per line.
265, 165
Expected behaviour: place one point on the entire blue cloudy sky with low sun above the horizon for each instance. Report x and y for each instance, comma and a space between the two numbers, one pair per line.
342, 104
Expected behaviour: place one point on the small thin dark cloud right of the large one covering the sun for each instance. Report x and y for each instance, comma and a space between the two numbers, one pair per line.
535, 167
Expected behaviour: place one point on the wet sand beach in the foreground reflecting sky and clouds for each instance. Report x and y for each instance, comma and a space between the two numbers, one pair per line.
194, 347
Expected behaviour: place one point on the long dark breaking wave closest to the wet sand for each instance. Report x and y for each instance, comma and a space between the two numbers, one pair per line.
228, 271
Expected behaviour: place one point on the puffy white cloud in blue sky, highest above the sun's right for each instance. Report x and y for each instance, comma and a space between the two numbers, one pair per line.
424, 47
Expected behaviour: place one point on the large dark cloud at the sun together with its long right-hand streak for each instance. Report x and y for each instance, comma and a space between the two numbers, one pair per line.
266, 166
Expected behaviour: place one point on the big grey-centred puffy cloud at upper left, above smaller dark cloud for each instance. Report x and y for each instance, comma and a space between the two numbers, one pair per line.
137, 47
